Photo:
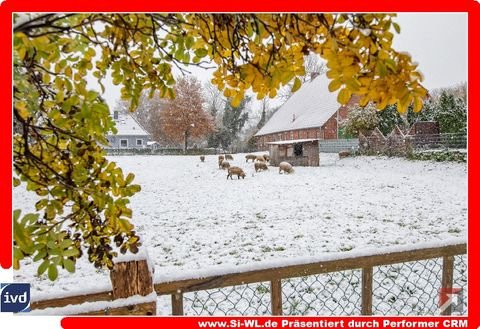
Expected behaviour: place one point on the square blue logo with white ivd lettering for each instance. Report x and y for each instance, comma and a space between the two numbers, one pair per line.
15, 297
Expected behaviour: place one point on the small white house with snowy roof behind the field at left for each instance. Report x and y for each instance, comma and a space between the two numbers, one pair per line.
130, 134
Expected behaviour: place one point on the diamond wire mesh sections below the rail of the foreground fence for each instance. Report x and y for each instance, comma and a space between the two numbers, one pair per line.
410, 288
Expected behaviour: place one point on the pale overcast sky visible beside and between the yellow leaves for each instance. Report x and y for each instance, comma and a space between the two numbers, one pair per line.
437, 41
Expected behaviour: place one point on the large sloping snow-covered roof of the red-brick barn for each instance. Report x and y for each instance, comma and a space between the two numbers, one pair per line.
310, 107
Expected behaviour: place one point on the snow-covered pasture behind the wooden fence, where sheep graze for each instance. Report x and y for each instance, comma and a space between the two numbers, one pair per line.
191, 217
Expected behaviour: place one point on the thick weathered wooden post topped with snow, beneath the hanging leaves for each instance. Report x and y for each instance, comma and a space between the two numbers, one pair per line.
133, 278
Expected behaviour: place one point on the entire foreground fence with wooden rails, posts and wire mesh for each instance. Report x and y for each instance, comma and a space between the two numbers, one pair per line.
348, 278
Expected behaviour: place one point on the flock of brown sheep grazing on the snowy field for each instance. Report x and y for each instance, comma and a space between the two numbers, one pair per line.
260, 163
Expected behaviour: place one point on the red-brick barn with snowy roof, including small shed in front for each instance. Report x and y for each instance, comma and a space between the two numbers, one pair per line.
311, 114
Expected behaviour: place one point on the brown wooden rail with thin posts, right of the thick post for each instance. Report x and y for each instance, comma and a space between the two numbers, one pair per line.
275, 275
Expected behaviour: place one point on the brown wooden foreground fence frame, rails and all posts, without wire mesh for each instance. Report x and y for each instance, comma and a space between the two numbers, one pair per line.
141, 285
